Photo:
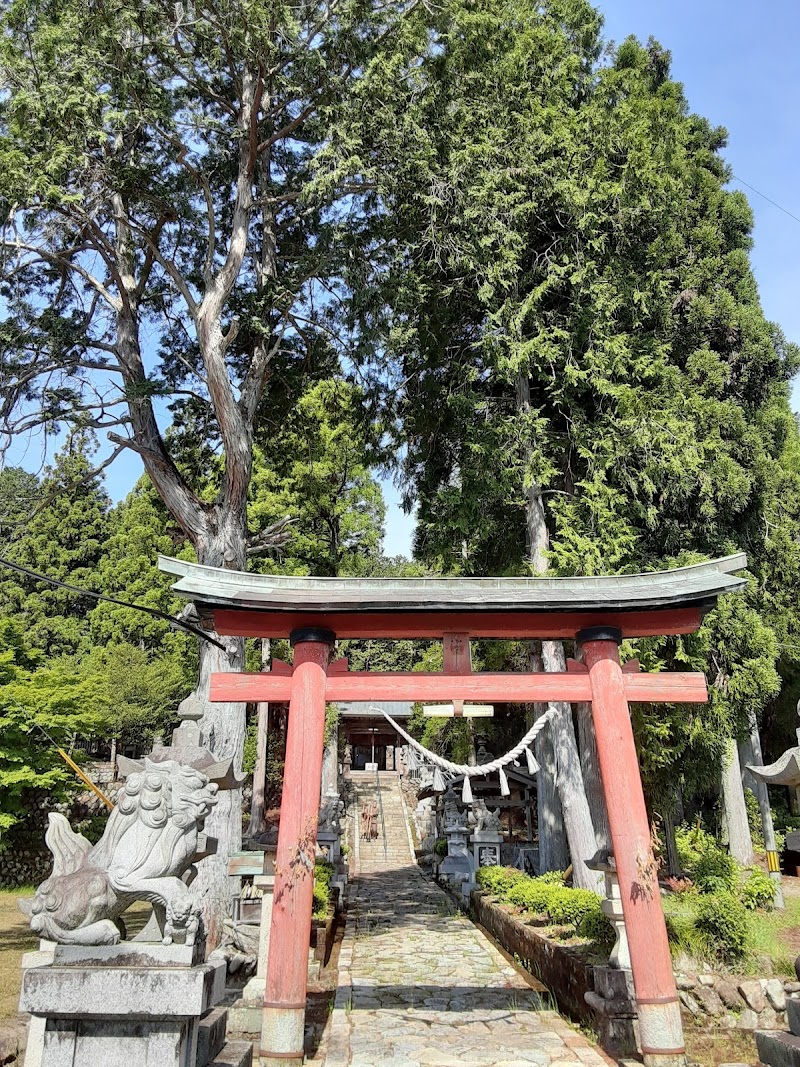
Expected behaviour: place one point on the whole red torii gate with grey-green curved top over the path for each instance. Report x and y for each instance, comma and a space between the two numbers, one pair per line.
598, 613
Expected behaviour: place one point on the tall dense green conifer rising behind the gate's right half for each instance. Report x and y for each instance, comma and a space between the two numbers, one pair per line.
580, 368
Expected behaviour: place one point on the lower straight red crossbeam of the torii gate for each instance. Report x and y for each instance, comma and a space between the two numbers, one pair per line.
573, 688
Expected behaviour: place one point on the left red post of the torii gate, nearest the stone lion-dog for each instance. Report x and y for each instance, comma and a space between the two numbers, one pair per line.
287, 968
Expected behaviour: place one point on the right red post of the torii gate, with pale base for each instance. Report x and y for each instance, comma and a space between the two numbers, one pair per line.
658, 1005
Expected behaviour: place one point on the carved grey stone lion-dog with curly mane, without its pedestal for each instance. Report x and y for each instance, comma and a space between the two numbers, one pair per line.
150, 842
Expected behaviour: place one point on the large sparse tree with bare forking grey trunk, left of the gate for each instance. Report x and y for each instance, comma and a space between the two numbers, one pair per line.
170, 235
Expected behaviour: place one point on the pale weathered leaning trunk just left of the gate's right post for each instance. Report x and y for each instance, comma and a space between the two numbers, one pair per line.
569, 781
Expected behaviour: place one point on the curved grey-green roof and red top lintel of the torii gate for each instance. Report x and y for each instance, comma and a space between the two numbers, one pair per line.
267, 606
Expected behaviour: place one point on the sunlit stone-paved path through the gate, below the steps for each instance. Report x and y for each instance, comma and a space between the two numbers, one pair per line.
420, 984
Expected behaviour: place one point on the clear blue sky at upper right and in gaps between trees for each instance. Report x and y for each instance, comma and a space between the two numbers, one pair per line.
741, 69
